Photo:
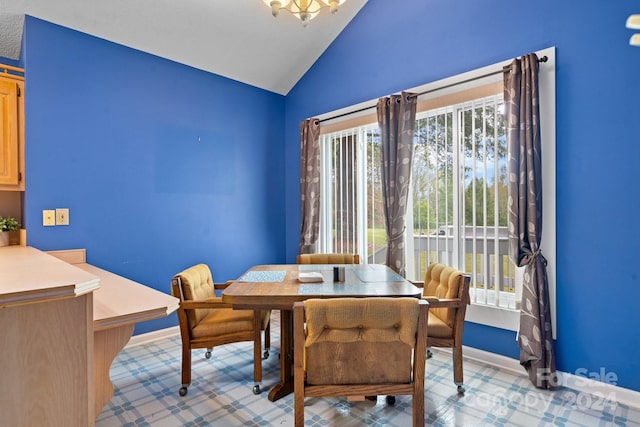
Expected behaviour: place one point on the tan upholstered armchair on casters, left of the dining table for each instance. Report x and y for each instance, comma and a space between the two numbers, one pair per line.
205, 321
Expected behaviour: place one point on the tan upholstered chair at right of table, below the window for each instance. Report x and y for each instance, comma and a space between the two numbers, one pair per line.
447, 291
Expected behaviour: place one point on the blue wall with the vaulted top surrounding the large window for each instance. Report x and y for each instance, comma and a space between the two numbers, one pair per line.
390, 47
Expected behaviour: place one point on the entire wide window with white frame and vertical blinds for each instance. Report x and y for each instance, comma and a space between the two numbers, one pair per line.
458, 210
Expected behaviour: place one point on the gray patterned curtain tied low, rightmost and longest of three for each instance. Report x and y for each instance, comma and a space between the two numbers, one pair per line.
525, 218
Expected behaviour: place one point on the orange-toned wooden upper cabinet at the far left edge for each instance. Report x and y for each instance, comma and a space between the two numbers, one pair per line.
11, 129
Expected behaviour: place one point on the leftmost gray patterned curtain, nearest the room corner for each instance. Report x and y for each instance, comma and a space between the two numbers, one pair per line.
309, 185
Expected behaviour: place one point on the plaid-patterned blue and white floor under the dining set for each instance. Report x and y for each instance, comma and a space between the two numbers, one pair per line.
147, 378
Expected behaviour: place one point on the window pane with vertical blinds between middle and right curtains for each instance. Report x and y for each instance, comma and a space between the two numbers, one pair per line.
459, 214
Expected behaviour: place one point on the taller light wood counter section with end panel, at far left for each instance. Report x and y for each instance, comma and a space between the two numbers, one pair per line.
46, 340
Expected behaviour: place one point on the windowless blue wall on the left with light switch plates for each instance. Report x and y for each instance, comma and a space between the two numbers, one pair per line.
161, 165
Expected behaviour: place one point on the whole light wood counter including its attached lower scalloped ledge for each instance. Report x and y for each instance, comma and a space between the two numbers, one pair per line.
57, 306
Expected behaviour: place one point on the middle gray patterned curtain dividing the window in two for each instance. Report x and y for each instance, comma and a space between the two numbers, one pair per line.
397, 122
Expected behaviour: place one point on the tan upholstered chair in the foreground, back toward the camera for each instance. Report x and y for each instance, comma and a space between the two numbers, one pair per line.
360, 346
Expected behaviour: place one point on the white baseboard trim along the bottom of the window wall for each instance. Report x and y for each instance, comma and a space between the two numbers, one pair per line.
599, 392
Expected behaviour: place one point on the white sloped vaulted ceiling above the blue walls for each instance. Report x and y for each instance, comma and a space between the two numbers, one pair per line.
238, 39
